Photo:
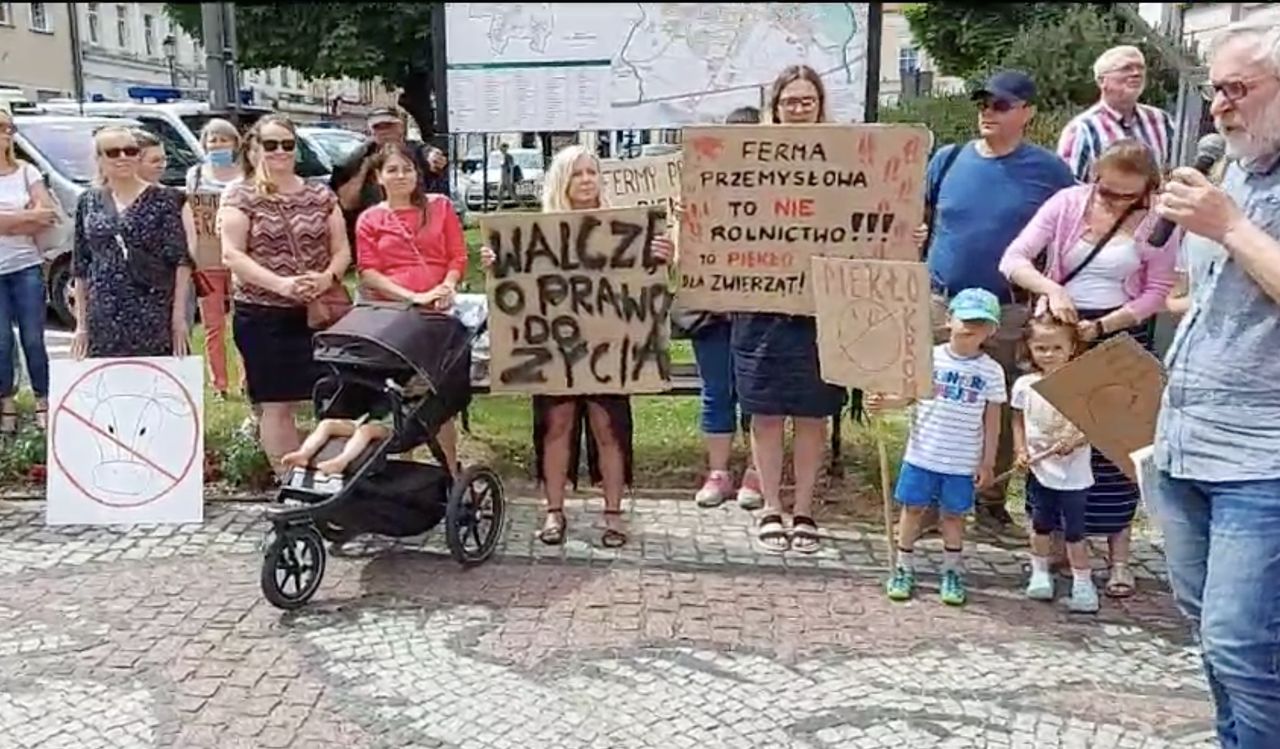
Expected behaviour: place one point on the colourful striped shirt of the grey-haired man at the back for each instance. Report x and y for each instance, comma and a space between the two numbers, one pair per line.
1100, 126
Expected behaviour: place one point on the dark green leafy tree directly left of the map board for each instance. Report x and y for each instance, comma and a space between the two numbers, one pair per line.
367, 42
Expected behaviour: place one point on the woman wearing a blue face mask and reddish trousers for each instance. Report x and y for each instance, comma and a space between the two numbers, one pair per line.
222, 167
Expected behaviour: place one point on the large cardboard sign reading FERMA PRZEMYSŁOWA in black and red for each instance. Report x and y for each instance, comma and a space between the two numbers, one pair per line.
761, 200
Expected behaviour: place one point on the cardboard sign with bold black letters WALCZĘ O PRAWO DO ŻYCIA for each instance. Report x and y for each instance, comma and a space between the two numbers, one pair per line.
578, 303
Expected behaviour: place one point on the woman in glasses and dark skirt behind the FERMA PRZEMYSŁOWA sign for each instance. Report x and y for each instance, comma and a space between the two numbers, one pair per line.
776, 368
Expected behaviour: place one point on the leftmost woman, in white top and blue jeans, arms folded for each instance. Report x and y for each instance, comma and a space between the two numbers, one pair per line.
26, 211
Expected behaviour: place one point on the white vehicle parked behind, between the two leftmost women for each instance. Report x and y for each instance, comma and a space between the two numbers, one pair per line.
62, 148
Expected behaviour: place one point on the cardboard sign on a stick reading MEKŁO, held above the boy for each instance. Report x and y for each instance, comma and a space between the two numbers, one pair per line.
874, 326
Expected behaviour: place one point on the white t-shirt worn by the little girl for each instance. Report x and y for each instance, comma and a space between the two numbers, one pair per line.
1046, 427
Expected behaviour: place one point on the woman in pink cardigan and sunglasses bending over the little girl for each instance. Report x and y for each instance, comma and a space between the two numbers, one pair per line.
1103, 275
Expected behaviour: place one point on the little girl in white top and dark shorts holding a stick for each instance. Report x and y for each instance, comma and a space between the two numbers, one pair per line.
1059, 458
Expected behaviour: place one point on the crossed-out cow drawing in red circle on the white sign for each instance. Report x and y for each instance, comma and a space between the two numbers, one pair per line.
134, 430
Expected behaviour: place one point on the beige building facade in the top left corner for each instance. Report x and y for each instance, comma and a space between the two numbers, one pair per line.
31, 33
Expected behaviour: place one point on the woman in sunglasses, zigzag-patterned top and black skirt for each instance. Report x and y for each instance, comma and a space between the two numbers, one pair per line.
286, 246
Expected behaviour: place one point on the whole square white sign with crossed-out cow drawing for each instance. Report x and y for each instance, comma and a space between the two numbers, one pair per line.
126, 441
